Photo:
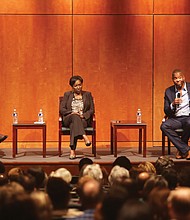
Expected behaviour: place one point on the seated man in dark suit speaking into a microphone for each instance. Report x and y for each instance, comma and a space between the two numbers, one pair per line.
177, 109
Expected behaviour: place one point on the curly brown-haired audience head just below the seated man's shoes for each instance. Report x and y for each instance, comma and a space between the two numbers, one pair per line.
163, 162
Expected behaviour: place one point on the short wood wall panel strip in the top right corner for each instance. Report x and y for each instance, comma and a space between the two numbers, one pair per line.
172, 7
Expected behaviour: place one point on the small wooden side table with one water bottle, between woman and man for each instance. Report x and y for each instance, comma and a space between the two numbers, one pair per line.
127, 124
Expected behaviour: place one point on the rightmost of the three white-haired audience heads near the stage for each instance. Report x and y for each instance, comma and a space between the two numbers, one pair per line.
118, 174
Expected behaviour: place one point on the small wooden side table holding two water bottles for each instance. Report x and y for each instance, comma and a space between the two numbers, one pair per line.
28, 125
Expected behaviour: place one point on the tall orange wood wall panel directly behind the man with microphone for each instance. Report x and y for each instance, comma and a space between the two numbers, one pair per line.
172, 50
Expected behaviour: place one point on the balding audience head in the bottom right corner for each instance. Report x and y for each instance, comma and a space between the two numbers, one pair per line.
179, 203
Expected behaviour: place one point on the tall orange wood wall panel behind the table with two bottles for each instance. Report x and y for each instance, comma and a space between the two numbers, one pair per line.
36, 62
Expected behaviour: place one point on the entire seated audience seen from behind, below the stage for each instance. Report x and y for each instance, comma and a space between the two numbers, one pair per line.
143, 191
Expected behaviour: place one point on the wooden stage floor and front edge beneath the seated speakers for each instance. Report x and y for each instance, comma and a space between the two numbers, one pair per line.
27, 157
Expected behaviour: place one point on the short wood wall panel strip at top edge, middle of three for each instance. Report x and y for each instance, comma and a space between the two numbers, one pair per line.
113, 7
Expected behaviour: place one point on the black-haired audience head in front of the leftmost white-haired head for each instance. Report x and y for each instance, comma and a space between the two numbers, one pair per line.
59, 192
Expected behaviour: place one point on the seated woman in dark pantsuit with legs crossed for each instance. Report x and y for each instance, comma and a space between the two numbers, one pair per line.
77, 109
